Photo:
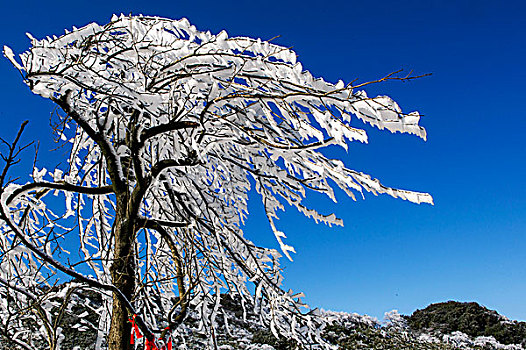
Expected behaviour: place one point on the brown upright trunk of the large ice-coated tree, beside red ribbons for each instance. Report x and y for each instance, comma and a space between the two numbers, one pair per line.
123, 277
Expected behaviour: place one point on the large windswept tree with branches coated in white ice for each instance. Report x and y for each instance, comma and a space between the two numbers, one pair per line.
168, 129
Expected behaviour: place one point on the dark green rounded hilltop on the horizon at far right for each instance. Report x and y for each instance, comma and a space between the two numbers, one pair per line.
469, 318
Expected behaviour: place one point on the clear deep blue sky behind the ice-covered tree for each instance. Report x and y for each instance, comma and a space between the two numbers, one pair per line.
391, 254
